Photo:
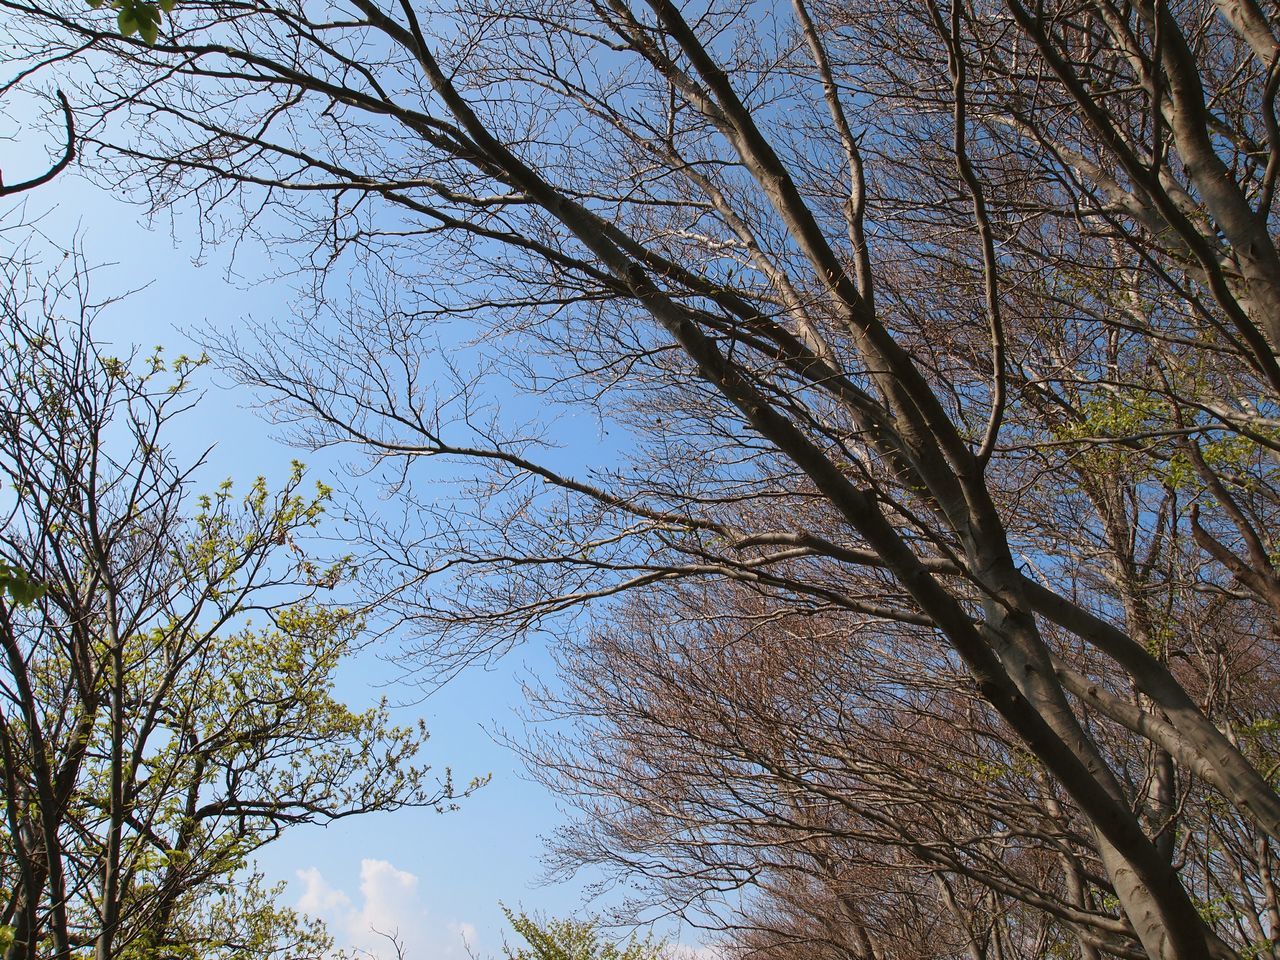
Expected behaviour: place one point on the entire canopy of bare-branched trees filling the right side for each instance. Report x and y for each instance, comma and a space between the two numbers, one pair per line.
941, 340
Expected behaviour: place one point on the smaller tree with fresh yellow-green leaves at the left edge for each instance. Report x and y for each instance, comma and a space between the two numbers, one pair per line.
167, 693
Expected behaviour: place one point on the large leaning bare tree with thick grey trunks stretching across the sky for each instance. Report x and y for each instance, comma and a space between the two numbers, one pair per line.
858, 284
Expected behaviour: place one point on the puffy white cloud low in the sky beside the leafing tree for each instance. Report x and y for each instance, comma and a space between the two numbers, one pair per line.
390, 903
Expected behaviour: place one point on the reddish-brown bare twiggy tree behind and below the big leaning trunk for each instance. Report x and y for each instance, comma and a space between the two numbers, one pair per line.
749, 769
